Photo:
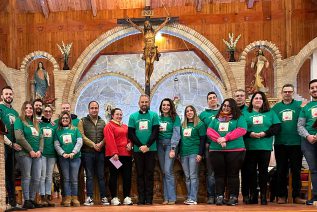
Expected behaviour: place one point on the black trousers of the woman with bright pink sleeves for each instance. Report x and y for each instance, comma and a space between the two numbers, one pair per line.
226, 166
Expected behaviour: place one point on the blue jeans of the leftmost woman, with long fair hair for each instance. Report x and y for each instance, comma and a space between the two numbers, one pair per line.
30, 175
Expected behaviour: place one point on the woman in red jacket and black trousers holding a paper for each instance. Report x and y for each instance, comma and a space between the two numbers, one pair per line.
118, 148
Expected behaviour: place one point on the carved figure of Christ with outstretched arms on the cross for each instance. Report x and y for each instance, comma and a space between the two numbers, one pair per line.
150, 52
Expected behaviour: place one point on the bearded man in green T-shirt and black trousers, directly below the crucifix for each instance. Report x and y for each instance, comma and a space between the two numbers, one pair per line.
143, 132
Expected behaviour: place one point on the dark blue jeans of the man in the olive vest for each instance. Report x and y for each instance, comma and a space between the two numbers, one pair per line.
94, 162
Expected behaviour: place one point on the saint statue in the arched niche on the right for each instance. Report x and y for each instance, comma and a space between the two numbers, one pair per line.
258, 63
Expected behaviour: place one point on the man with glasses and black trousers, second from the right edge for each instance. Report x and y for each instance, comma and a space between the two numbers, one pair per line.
287, 145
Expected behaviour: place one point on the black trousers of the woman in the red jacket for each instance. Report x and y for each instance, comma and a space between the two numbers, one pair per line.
125, 170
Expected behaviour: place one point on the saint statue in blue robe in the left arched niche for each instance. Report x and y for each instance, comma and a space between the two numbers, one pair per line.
41, 81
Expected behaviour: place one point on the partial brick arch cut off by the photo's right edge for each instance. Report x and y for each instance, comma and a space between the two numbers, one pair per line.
302, 56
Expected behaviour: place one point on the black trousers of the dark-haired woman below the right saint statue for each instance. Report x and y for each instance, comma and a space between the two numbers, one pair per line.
257, 160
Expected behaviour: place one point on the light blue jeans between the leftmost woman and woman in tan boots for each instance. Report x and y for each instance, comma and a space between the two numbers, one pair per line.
47, 175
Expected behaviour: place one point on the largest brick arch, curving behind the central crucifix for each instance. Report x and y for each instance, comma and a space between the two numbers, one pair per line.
177, 30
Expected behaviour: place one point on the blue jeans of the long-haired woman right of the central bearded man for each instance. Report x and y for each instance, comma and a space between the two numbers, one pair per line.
167, 164
